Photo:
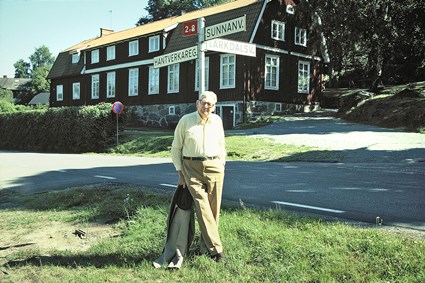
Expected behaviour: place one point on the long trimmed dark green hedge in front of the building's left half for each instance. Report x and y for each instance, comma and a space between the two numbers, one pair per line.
64, 130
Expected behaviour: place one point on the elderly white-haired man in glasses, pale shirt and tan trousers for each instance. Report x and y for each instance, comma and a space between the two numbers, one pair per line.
198, 153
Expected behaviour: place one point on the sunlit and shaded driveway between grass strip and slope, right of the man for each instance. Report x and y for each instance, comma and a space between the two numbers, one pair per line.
354, 142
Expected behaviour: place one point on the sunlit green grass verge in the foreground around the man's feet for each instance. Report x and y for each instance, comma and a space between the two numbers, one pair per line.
260, 246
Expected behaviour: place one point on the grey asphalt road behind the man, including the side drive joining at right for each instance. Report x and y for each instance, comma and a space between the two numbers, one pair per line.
382, 173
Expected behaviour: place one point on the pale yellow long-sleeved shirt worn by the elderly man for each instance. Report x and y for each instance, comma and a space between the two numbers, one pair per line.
192, 138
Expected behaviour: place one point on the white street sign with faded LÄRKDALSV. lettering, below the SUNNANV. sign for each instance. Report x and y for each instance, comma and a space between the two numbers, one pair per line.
231, 46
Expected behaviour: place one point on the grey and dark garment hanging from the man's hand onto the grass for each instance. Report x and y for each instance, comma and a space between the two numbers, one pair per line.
180, 230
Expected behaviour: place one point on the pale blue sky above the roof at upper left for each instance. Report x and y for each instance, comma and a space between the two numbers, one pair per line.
58, 24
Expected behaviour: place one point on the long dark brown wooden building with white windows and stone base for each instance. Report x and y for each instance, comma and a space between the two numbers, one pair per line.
284, 76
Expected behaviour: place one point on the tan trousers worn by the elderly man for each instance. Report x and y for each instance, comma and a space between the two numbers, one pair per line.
205, 182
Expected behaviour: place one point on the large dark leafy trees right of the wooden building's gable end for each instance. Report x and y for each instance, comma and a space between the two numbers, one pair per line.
374, 38
